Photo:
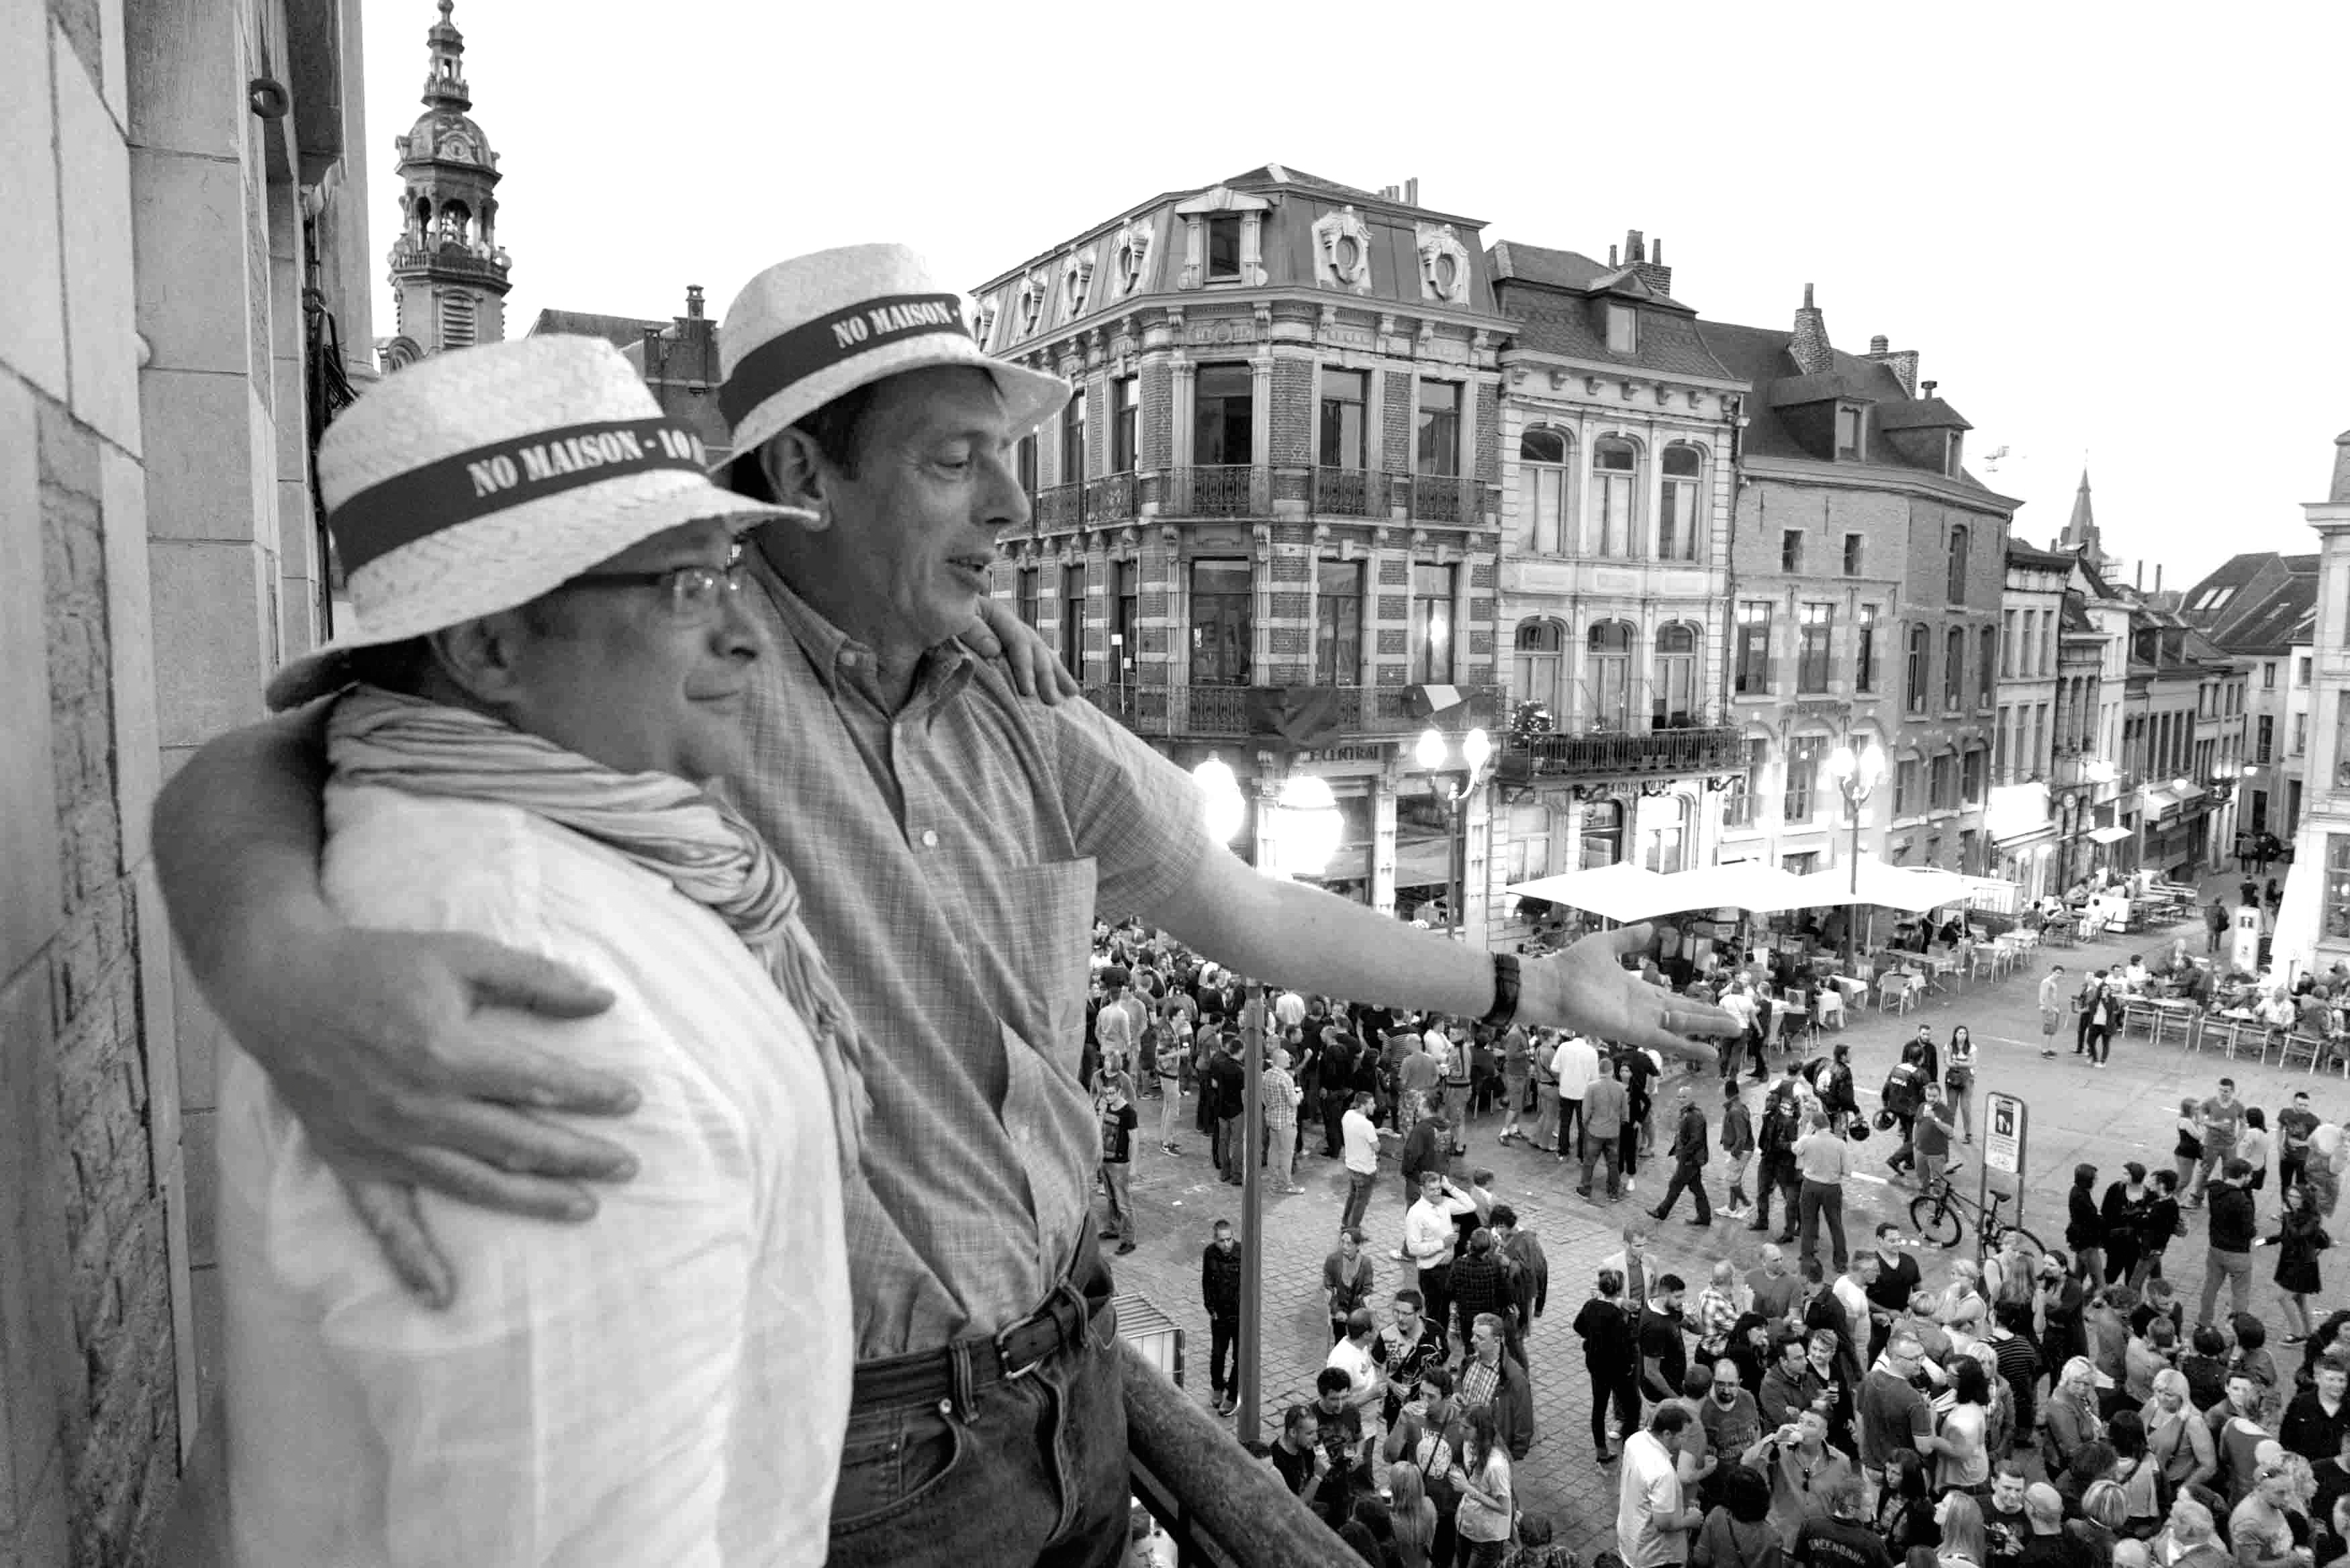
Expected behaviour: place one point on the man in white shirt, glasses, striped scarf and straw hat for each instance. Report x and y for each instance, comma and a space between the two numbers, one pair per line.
553, 655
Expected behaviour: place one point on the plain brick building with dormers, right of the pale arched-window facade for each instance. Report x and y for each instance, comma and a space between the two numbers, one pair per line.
1867, 575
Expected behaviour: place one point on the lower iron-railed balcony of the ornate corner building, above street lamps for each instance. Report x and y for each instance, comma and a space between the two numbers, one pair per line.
1301, 716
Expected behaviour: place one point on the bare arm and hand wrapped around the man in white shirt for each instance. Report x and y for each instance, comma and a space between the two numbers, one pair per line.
365, 1033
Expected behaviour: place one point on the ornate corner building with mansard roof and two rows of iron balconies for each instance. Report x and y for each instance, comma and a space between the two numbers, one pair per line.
1268, 523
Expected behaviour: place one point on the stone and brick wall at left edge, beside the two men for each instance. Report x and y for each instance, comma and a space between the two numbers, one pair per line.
189, 253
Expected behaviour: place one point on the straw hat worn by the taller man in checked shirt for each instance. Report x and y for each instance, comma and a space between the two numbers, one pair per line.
807, 330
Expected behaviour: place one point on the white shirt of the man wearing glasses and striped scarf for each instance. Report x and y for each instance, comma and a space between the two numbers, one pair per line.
662, 1386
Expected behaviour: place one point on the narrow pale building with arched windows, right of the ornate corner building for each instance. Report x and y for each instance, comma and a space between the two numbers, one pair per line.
1618, 429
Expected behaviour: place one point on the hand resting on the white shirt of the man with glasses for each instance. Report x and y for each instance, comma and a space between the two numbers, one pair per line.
370, 1040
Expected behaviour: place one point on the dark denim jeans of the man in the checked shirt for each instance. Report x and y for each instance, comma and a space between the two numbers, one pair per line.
1028, 1473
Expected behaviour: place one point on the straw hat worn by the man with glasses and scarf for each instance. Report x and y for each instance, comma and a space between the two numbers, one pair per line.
483, 478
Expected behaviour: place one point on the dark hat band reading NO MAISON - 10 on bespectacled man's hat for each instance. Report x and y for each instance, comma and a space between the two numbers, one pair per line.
502, 476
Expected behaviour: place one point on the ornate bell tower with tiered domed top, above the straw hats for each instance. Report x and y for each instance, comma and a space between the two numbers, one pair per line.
450, 274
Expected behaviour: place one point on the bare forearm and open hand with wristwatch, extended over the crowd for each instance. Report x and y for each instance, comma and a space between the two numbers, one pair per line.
1329, 944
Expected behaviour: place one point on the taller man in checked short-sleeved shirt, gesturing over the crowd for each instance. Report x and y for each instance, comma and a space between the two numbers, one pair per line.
953, 845
